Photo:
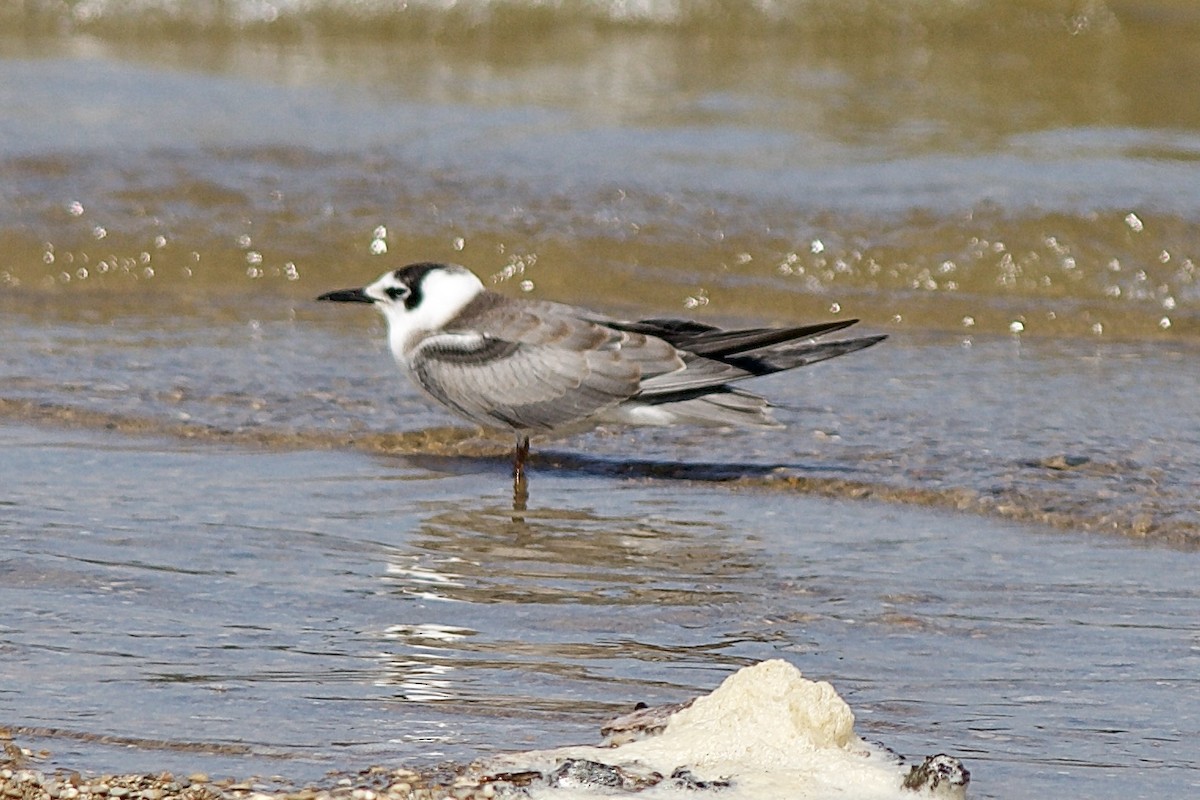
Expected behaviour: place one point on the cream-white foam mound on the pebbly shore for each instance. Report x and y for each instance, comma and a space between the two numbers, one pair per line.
769, 732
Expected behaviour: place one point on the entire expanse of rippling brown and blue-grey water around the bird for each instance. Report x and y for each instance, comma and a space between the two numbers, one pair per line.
235, 540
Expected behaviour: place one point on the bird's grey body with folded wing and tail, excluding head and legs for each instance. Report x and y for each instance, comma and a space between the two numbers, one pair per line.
539, 366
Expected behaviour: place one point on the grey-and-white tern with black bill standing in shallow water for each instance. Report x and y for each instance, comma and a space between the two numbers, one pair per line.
532, 366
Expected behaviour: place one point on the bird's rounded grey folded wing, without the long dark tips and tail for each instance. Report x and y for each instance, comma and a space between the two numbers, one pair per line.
535, 366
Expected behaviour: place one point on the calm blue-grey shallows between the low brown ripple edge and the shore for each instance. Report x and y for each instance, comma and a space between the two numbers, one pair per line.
291, 613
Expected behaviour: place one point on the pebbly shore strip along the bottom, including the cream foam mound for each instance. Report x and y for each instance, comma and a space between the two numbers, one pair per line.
765, 732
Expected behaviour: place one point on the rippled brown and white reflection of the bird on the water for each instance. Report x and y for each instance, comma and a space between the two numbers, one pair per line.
557, 594
